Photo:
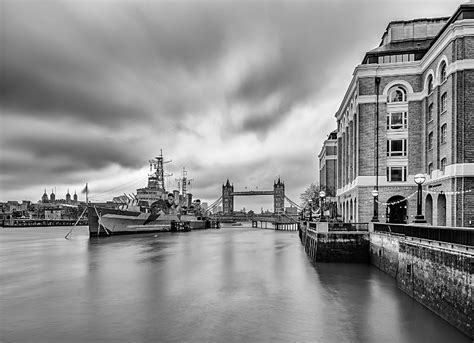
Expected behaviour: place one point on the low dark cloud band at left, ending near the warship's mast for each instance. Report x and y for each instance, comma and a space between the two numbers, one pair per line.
59, 154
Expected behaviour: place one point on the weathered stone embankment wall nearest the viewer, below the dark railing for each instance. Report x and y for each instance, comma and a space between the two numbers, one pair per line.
438, 275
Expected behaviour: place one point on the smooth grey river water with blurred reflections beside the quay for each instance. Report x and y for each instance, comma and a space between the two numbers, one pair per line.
236, 284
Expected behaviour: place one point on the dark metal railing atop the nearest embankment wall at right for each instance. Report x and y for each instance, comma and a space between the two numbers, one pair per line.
455, 235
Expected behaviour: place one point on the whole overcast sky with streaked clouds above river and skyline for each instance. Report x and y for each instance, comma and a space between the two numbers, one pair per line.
238, 90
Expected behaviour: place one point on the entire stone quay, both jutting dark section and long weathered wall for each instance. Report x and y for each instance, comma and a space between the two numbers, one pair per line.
437, 274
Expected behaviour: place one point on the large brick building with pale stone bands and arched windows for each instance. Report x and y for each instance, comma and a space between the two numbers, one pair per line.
409, 109
